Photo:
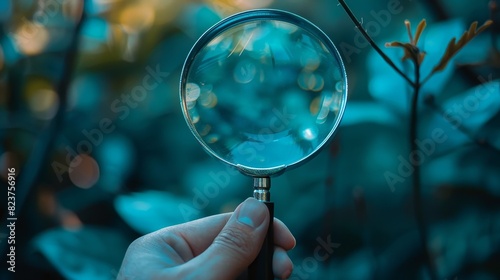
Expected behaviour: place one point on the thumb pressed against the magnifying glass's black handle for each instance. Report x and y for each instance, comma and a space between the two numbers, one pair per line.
238, 243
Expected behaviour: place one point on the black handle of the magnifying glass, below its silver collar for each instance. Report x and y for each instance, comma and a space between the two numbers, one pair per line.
262, 267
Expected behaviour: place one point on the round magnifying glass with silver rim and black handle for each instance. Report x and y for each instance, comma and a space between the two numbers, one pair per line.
263, 91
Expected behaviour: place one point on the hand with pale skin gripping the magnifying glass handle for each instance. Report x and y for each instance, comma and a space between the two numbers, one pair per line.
215, 247
